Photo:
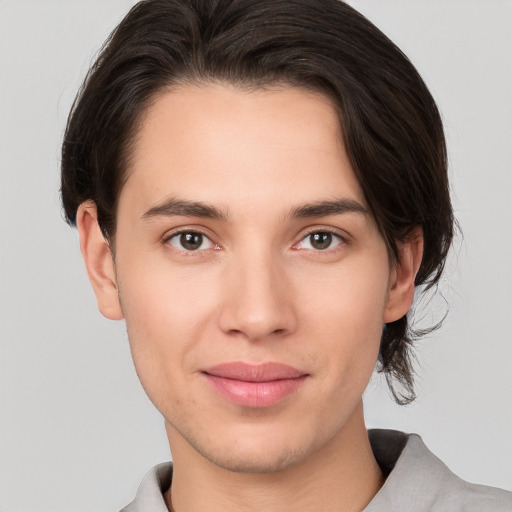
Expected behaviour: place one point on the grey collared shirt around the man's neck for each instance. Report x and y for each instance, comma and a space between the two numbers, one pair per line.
416, 481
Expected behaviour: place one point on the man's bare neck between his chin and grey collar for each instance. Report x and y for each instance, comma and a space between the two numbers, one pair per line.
343, 475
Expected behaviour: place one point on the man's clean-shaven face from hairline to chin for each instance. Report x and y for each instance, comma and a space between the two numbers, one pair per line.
252, 277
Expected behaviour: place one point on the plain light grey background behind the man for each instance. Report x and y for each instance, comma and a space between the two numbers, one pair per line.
76, 431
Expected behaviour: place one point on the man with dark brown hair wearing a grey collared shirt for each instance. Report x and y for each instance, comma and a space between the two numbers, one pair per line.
259, 187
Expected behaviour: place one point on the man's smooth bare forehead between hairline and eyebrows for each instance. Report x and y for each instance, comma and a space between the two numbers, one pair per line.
220, 144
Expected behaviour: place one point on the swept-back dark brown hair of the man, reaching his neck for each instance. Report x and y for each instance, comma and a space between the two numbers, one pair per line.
391, 126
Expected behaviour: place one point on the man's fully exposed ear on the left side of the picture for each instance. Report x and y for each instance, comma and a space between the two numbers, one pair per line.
99, 261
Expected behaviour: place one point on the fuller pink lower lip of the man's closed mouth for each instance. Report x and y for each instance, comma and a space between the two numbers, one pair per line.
255, 394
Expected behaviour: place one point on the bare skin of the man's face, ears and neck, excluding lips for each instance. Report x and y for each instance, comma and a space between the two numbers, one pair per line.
257, 290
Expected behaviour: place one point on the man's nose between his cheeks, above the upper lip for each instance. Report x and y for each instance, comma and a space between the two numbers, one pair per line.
258, 299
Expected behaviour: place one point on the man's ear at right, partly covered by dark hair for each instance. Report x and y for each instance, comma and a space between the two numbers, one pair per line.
401, 291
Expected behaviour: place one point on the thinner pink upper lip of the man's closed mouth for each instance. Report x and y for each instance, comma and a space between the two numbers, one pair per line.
247, 372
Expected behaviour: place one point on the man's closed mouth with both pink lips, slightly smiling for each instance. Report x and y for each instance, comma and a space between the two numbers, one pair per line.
255, 386
